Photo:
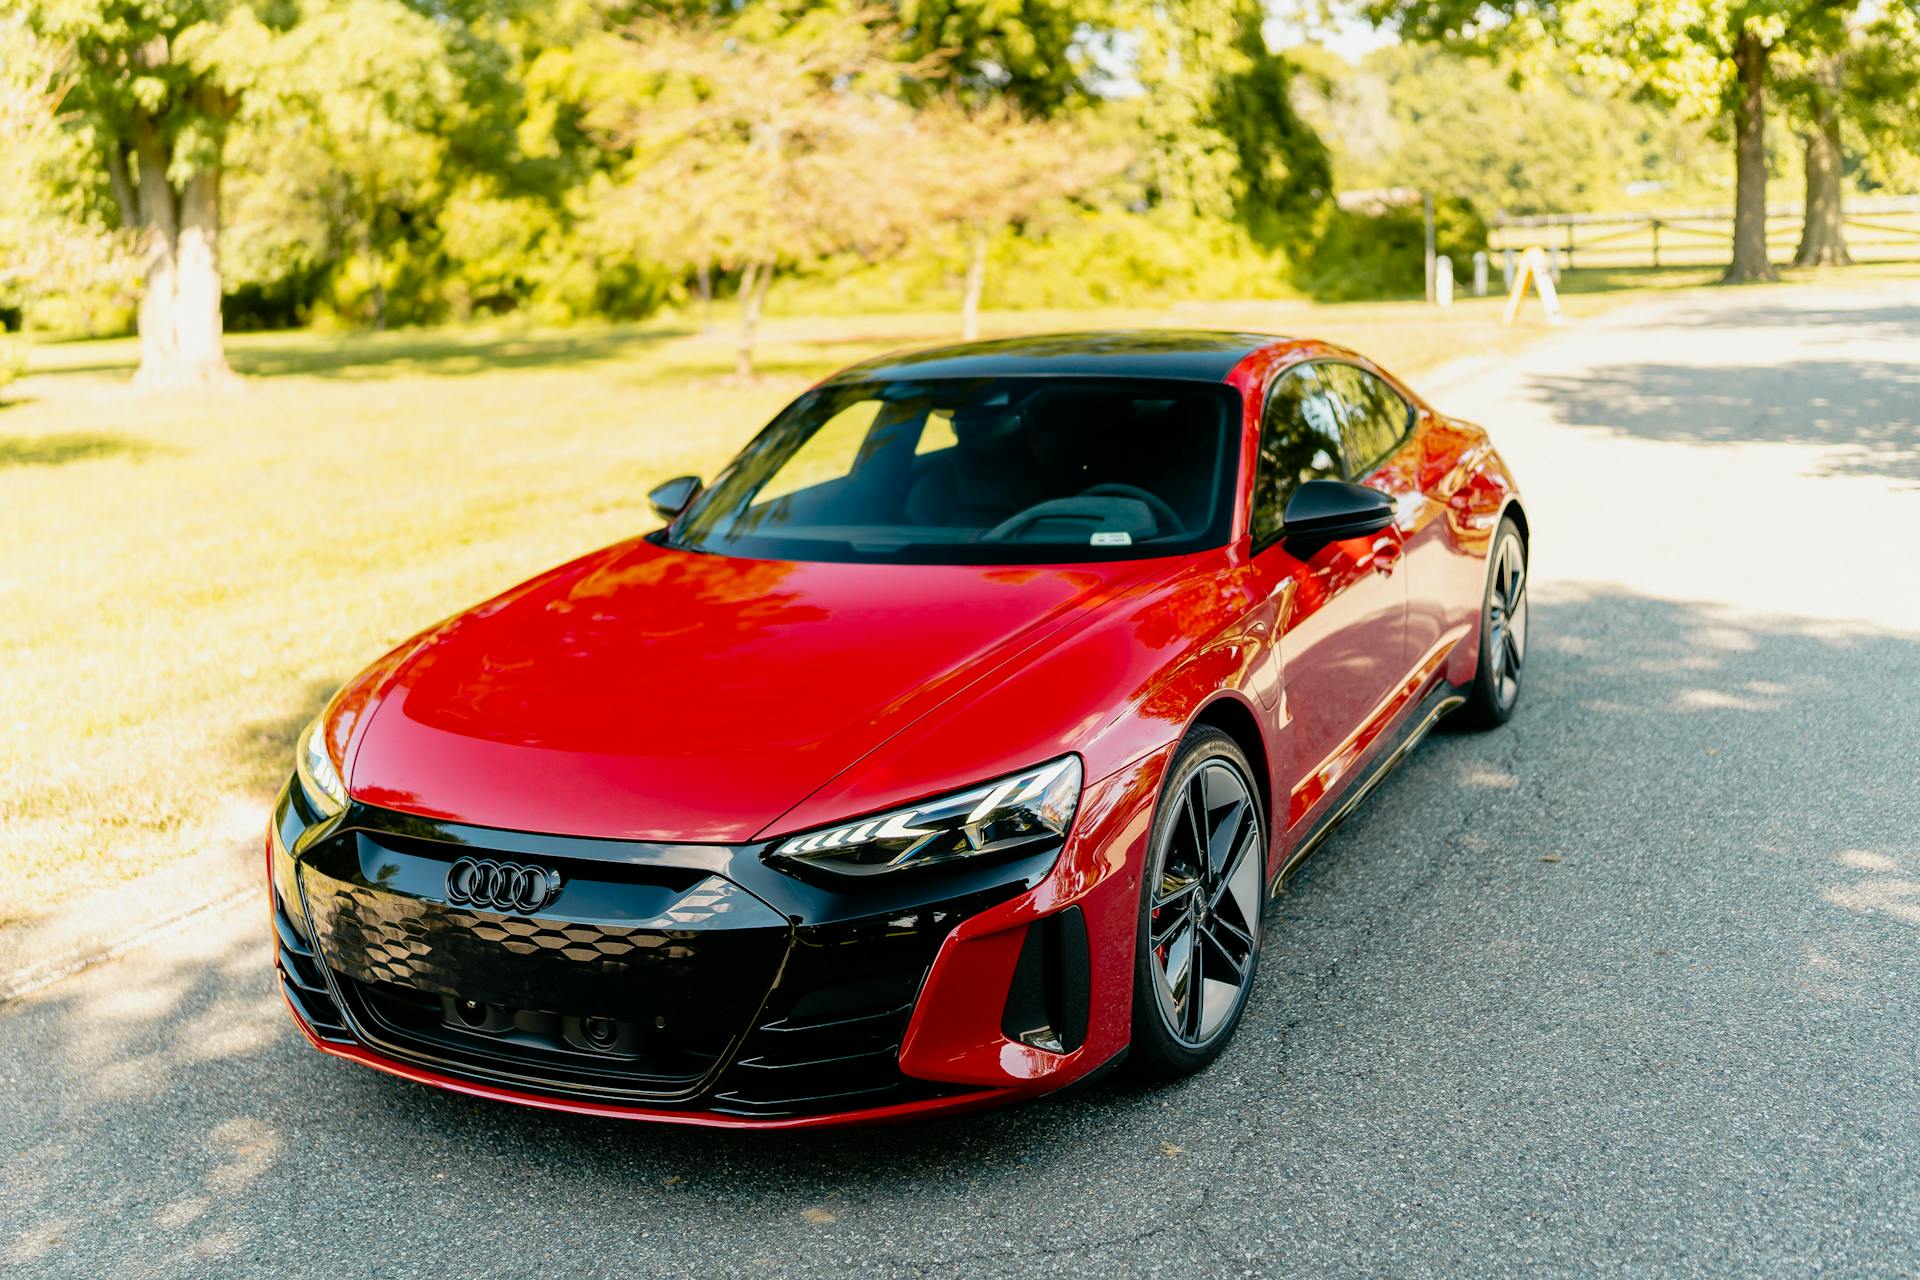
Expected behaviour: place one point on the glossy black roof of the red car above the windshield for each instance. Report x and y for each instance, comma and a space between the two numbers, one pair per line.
1182, 354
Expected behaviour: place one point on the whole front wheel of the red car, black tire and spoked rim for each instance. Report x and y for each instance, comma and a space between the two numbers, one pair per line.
1199, 920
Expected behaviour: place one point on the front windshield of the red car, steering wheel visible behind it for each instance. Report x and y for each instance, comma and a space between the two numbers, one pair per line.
978, 471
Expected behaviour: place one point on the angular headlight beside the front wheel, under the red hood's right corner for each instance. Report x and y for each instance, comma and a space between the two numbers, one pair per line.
986, 822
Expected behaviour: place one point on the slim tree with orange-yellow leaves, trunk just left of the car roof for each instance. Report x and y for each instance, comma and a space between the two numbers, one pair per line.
756, 153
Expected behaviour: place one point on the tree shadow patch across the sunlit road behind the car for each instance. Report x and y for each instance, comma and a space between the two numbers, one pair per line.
1865, 415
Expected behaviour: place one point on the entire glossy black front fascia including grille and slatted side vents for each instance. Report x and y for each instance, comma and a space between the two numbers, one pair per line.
658, 978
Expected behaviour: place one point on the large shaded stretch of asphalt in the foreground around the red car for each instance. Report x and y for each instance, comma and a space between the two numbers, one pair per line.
1698, 820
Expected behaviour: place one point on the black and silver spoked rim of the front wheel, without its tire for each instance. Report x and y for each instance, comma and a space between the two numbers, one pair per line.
1203, 924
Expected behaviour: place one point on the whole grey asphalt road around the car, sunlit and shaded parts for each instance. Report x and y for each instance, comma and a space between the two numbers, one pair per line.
1631, 987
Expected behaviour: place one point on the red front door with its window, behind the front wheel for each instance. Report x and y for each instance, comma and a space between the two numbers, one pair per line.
1341, 607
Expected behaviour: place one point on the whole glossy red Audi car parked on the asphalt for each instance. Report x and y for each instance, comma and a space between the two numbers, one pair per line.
940, 753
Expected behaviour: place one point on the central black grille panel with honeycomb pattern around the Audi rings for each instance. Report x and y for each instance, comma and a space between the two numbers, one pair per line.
635, 984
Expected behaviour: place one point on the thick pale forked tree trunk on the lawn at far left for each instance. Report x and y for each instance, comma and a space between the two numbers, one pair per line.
181, 341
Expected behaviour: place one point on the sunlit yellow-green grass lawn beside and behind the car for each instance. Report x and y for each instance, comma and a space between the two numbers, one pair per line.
187, 579
